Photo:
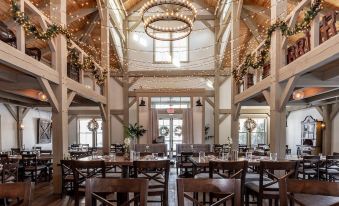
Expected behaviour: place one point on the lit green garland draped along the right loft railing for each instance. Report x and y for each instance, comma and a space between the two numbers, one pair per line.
258, 62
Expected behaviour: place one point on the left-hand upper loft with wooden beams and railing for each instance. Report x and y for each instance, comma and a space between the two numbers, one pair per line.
29, 52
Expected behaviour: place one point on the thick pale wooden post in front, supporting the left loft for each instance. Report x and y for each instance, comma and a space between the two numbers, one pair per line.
60, 116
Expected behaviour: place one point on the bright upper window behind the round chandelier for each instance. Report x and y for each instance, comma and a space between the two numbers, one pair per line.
170, 51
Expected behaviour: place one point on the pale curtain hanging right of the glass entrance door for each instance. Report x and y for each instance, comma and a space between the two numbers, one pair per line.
187, 126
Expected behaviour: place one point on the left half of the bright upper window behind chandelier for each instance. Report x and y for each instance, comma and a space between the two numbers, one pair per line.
162, 50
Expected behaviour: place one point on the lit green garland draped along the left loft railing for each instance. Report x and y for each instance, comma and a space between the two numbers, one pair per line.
51, 32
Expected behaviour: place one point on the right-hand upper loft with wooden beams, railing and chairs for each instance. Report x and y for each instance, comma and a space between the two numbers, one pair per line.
308, 62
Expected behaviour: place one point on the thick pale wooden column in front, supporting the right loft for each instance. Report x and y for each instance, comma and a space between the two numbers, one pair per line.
278, 112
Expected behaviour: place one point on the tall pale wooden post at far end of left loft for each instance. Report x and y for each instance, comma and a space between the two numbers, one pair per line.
105, 64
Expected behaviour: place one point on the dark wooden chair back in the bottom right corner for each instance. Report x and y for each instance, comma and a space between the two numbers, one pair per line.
308, 192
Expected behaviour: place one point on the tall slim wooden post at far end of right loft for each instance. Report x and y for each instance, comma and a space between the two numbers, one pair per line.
235, 29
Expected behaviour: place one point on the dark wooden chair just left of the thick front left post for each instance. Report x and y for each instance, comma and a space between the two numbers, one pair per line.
32, 168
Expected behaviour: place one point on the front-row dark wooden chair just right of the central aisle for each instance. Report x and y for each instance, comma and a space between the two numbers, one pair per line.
229, 187
